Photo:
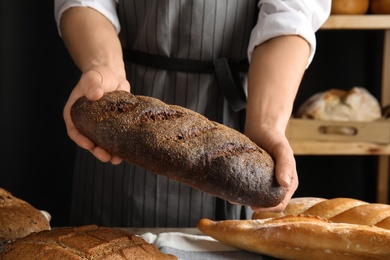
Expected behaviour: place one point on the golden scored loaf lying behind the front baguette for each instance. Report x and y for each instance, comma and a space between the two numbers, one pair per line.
340, 210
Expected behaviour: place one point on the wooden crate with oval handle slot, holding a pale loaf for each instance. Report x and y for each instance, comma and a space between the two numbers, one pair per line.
318, 130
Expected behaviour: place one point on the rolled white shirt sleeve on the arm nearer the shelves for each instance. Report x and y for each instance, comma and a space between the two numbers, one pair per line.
293, 17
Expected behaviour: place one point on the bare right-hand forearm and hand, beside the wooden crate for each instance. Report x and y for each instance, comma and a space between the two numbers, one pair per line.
275, 74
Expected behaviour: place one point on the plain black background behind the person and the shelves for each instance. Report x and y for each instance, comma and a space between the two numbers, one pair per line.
37, 75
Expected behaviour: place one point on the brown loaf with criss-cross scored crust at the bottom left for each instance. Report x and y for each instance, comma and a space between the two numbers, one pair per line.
82, 243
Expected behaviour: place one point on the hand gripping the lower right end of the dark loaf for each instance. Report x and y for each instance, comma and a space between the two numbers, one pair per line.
276, 144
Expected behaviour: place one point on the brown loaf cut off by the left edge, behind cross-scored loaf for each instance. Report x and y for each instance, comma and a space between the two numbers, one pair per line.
19, 218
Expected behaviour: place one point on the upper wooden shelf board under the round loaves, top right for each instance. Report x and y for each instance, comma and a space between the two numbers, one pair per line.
357, 22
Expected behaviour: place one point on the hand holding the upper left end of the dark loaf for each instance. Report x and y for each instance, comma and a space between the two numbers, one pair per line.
93, 84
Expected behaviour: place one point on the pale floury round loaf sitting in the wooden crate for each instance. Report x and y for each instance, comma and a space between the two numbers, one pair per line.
357, 104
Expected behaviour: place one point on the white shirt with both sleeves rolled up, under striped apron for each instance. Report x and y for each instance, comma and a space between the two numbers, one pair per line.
276, 18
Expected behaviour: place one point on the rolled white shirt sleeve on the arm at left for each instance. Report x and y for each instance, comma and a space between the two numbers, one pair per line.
106, 7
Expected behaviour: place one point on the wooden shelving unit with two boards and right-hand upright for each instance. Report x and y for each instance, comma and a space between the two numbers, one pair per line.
310, 147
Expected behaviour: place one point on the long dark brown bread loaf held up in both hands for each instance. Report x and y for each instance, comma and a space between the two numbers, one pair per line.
182, 145
